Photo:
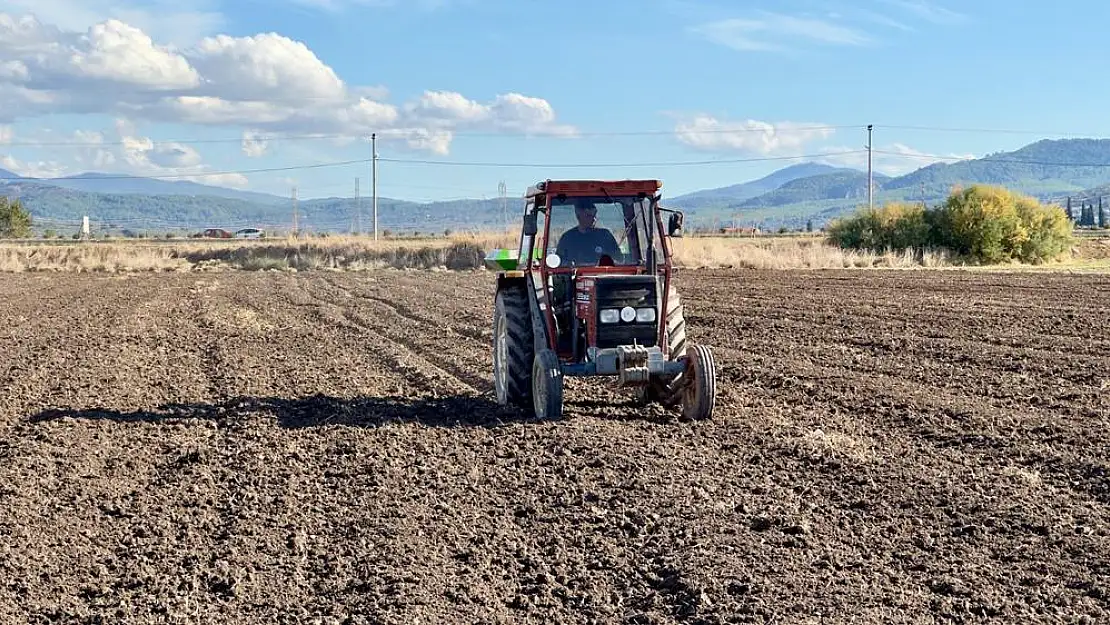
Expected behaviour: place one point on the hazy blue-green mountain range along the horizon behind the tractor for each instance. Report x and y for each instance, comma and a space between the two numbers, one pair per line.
1048, 169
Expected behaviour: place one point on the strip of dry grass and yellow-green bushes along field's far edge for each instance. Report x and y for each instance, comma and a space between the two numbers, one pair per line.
983, 226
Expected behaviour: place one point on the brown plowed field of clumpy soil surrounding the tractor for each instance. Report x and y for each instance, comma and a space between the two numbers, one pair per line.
325, 448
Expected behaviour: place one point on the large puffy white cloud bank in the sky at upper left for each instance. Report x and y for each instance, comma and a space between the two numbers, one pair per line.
264, 84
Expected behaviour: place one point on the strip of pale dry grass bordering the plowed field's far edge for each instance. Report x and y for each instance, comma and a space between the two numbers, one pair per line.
459, 253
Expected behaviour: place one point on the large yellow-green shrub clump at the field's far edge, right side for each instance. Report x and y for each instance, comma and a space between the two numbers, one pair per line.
984, 224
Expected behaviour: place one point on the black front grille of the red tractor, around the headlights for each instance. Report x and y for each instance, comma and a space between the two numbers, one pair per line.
621, 291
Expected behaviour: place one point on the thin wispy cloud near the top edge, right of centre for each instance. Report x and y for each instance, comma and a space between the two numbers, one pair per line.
779, 32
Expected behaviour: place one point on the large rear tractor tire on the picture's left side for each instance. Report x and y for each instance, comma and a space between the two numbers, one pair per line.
513, 348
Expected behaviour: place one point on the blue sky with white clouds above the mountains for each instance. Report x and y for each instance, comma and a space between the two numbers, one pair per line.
463, 95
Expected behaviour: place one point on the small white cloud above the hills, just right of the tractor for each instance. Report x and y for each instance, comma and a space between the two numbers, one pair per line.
709, 134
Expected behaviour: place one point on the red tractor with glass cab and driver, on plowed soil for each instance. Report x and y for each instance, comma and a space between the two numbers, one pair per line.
590, 293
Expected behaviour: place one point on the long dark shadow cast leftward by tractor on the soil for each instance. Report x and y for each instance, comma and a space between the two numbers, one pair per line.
318, 411
